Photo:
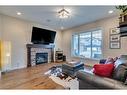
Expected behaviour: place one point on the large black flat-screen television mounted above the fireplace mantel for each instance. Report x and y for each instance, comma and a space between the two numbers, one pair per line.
42, 36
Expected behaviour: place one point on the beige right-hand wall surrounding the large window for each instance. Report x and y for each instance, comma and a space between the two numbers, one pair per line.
105, 24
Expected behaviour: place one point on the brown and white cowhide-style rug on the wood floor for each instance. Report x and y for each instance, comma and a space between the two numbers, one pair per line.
55, 73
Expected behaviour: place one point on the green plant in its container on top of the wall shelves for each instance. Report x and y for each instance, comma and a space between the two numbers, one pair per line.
123, 13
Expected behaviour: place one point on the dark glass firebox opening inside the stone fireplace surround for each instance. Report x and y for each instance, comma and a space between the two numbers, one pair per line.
41, 58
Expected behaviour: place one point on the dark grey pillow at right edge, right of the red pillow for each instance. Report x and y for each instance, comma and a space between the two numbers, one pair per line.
120, 73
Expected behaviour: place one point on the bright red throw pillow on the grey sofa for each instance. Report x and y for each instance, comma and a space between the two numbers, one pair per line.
104, 70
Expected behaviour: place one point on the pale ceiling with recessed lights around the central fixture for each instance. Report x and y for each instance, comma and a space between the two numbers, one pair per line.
47, 15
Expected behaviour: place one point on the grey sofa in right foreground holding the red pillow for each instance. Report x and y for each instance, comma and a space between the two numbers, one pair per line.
89, 80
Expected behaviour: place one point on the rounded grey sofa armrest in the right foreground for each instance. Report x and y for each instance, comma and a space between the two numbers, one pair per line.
100, 82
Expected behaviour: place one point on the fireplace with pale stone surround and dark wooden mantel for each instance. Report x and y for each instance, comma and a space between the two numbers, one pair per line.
34, 50
